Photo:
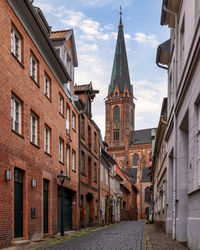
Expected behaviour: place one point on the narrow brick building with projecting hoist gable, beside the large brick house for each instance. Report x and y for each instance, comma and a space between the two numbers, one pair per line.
89, 157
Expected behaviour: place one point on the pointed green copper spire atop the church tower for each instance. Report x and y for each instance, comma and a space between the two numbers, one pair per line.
120, 72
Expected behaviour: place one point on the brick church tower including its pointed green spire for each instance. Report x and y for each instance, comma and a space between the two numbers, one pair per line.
119, 102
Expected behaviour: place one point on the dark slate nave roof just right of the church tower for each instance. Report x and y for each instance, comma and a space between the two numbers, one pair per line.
140, 136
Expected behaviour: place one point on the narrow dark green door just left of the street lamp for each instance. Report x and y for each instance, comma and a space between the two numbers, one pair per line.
45, 205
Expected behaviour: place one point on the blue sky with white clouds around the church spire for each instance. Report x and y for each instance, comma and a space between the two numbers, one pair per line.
95, 25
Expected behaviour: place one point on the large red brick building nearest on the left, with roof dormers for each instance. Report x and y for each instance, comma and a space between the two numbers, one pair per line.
39, 125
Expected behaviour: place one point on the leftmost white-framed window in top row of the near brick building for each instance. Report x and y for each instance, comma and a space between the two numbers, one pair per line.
16, 44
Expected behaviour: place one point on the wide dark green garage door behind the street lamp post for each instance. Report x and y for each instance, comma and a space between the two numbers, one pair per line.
67, 209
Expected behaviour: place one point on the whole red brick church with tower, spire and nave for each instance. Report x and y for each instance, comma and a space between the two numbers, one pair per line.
132, 148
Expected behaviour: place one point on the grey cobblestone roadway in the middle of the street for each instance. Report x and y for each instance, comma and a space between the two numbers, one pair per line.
126, 235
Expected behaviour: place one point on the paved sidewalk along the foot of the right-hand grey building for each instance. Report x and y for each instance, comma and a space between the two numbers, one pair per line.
161, 241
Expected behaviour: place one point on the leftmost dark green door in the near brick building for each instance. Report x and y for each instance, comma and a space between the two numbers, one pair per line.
18, 203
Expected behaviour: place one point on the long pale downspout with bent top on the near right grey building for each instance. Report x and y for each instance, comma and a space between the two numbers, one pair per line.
175, 126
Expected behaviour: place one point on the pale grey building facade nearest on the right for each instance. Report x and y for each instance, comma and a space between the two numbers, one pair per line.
183, 148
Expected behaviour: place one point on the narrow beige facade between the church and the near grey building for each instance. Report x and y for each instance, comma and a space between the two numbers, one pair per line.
159, 171
